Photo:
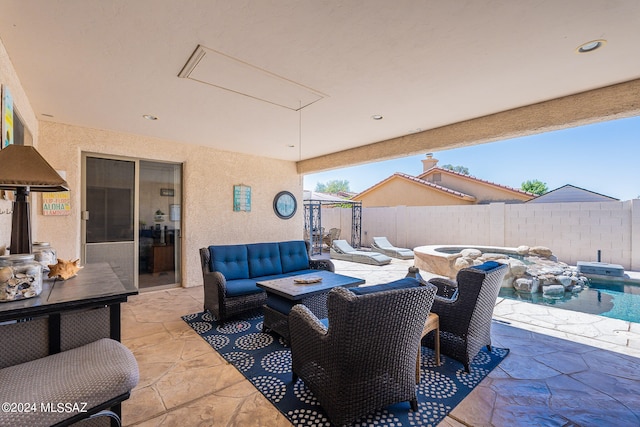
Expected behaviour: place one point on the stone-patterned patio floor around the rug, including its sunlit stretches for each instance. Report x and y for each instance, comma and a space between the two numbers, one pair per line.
564, 369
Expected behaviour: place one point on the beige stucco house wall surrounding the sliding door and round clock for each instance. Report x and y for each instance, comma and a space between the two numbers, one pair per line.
208, 179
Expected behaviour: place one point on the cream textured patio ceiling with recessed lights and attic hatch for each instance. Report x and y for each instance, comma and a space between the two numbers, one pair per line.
421, 64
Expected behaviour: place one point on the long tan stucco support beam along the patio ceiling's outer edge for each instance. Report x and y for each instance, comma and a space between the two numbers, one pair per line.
598, 105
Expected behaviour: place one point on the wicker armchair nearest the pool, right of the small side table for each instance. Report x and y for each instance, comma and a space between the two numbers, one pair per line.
465, 307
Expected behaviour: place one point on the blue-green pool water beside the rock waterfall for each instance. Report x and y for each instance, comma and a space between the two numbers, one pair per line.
610, 299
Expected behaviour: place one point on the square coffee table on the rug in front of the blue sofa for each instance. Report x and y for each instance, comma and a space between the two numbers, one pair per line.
312, 295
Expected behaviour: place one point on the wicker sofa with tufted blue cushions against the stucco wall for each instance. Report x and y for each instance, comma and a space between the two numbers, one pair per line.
230, 272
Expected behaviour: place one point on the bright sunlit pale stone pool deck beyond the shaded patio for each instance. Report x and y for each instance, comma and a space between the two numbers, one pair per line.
597, 331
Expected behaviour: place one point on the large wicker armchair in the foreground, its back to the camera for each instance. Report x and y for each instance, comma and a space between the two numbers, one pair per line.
365, 359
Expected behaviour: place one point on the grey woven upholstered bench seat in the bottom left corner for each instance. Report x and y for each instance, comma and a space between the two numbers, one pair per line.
66, 387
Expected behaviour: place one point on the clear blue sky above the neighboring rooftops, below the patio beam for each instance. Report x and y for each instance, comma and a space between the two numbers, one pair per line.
602, 157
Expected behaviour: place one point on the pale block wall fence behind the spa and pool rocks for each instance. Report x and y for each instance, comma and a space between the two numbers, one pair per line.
573, 231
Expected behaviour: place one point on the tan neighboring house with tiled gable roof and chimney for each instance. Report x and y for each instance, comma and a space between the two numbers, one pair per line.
438, 187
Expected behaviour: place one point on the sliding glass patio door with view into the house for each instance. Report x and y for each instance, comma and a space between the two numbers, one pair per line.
131, 218
